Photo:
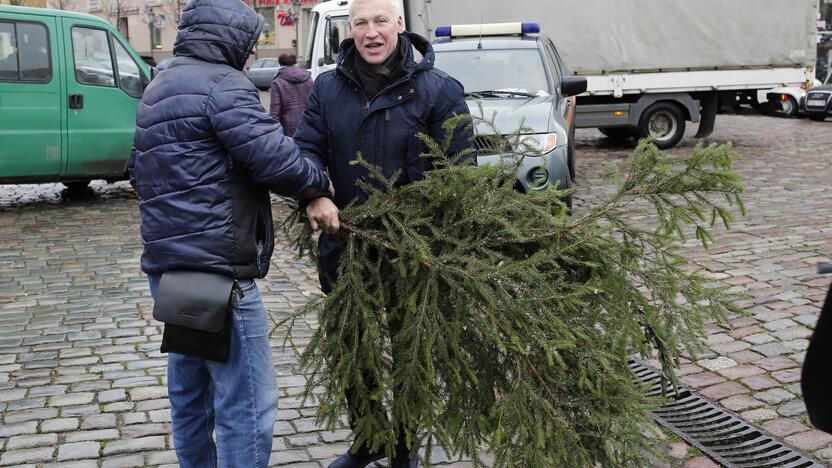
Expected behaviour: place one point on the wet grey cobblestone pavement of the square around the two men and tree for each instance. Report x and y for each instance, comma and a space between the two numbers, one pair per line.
82, 383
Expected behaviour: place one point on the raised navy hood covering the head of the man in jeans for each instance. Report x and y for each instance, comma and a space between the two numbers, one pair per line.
218, 31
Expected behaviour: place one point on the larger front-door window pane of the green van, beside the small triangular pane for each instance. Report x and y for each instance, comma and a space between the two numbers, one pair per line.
93, 60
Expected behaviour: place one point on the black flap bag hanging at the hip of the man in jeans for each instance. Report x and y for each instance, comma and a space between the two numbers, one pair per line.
195, 307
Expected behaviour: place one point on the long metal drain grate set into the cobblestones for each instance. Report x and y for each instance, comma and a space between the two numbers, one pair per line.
719, 433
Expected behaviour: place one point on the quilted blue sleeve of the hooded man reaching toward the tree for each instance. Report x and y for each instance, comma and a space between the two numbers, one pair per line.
257, 144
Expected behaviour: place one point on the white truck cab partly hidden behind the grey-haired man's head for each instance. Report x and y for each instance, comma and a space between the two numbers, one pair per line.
328, 26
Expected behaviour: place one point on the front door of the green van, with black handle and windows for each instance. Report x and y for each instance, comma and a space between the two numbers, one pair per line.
104, 85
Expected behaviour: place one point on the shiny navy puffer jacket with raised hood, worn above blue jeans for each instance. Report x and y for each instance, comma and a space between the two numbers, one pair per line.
206, 153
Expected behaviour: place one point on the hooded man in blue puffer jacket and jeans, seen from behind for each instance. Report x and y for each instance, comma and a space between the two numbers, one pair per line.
206, 154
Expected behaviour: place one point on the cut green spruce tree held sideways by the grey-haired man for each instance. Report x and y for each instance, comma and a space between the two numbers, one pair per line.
468, 315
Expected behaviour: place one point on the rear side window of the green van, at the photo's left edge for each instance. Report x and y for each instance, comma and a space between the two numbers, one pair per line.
24, 52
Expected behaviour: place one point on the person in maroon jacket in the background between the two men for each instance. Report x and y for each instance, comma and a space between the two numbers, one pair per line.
290, 91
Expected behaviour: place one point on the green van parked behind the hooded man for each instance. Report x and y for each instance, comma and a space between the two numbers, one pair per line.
69, 87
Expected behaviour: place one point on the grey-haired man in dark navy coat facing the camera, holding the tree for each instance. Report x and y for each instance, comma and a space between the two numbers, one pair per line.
376, 102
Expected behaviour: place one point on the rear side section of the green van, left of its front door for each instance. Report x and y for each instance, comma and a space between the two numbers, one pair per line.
31, 93
